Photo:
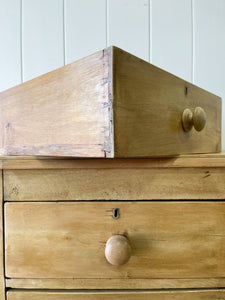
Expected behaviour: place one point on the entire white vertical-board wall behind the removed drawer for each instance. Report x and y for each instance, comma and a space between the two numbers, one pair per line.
184, 37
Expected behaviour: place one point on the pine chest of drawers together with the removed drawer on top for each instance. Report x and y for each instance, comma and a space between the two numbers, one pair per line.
111, 223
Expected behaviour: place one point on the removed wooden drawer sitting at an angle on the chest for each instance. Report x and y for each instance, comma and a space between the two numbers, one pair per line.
110, 104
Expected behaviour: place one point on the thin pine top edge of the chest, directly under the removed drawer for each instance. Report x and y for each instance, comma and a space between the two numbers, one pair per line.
211, 160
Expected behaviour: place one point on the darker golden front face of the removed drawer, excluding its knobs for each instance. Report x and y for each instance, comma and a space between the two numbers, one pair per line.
148, 104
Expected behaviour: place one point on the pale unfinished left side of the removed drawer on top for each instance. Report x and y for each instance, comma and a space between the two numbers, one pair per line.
62, 113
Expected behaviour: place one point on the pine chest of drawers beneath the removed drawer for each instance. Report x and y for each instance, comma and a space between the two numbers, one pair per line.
163, 218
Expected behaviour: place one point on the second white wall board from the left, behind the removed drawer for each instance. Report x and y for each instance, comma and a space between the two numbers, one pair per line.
42, 36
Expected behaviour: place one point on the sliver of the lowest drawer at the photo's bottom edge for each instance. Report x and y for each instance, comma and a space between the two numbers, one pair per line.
169, 295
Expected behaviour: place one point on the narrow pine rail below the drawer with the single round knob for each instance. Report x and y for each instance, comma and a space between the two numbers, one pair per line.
110, 283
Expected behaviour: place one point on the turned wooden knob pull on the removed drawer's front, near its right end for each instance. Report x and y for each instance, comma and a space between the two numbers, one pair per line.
196, 119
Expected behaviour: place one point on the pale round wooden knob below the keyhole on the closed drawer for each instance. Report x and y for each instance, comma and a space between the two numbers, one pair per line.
117, 250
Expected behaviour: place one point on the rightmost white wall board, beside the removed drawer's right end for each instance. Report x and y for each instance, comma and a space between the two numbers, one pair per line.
209, 48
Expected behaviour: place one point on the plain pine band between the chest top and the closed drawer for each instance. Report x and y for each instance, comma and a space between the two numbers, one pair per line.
114, 184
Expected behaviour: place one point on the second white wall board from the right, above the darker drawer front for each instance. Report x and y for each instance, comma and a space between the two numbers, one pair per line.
171, 36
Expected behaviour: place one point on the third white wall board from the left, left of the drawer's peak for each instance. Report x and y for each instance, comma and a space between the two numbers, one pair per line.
85, 27
